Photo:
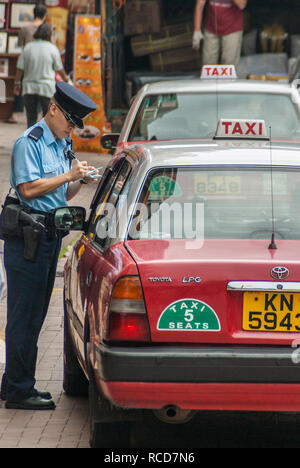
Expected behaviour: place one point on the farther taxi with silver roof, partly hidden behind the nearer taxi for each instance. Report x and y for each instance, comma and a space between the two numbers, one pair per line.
185, 109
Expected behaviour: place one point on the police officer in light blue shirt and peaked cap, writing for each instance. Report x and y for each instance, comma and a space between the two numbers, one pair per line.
44, 179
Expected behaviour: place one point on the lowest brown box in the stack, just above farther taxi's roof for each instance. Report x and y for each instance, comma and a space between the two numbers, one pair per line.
176, 60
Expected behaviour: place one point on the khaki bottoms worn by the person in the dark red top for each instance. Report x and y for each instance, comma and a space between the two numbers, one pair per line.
222, 49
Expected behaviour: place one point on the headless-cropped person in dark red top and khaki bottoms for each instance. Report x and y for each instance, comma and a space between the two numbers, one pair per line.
223, 30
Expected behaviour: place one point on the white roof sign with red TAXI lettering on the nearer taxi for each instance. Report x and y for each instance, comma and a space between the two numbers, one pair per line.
245, 129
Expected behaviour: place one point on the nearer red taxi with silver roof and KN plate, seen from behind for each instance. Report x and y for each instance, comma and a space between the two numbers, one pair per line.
183, 292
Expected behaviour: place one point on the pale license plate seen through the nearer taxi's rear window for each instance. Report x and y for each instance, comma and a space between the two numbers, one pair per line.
206, 184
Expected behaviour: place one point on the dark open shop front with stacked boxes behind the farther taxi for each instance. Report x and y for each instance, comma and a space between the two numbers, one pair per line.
147, 40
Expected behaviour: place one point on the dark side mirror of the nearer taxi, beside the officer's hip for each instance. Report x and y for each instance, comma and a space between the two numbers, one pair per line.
69, 218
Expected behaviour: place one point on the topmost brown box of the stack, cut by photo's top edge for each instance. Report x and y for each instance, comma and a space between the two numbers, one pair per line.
142, 17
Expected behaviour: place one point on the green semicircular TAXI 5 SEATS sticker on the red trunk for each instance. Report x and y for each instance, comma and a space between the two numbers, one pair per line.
189, 314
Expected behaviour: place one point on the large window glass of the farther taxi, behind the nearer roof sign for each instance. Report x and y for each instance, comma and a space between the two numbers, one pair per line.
195, 115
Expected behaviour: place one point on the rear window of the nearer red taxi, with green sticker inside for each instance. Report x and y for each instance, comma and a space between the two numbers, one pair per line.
235, 203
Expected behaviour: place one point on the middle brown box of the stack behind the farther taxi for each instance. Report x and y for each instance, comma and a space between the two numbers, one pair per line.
170, 37
